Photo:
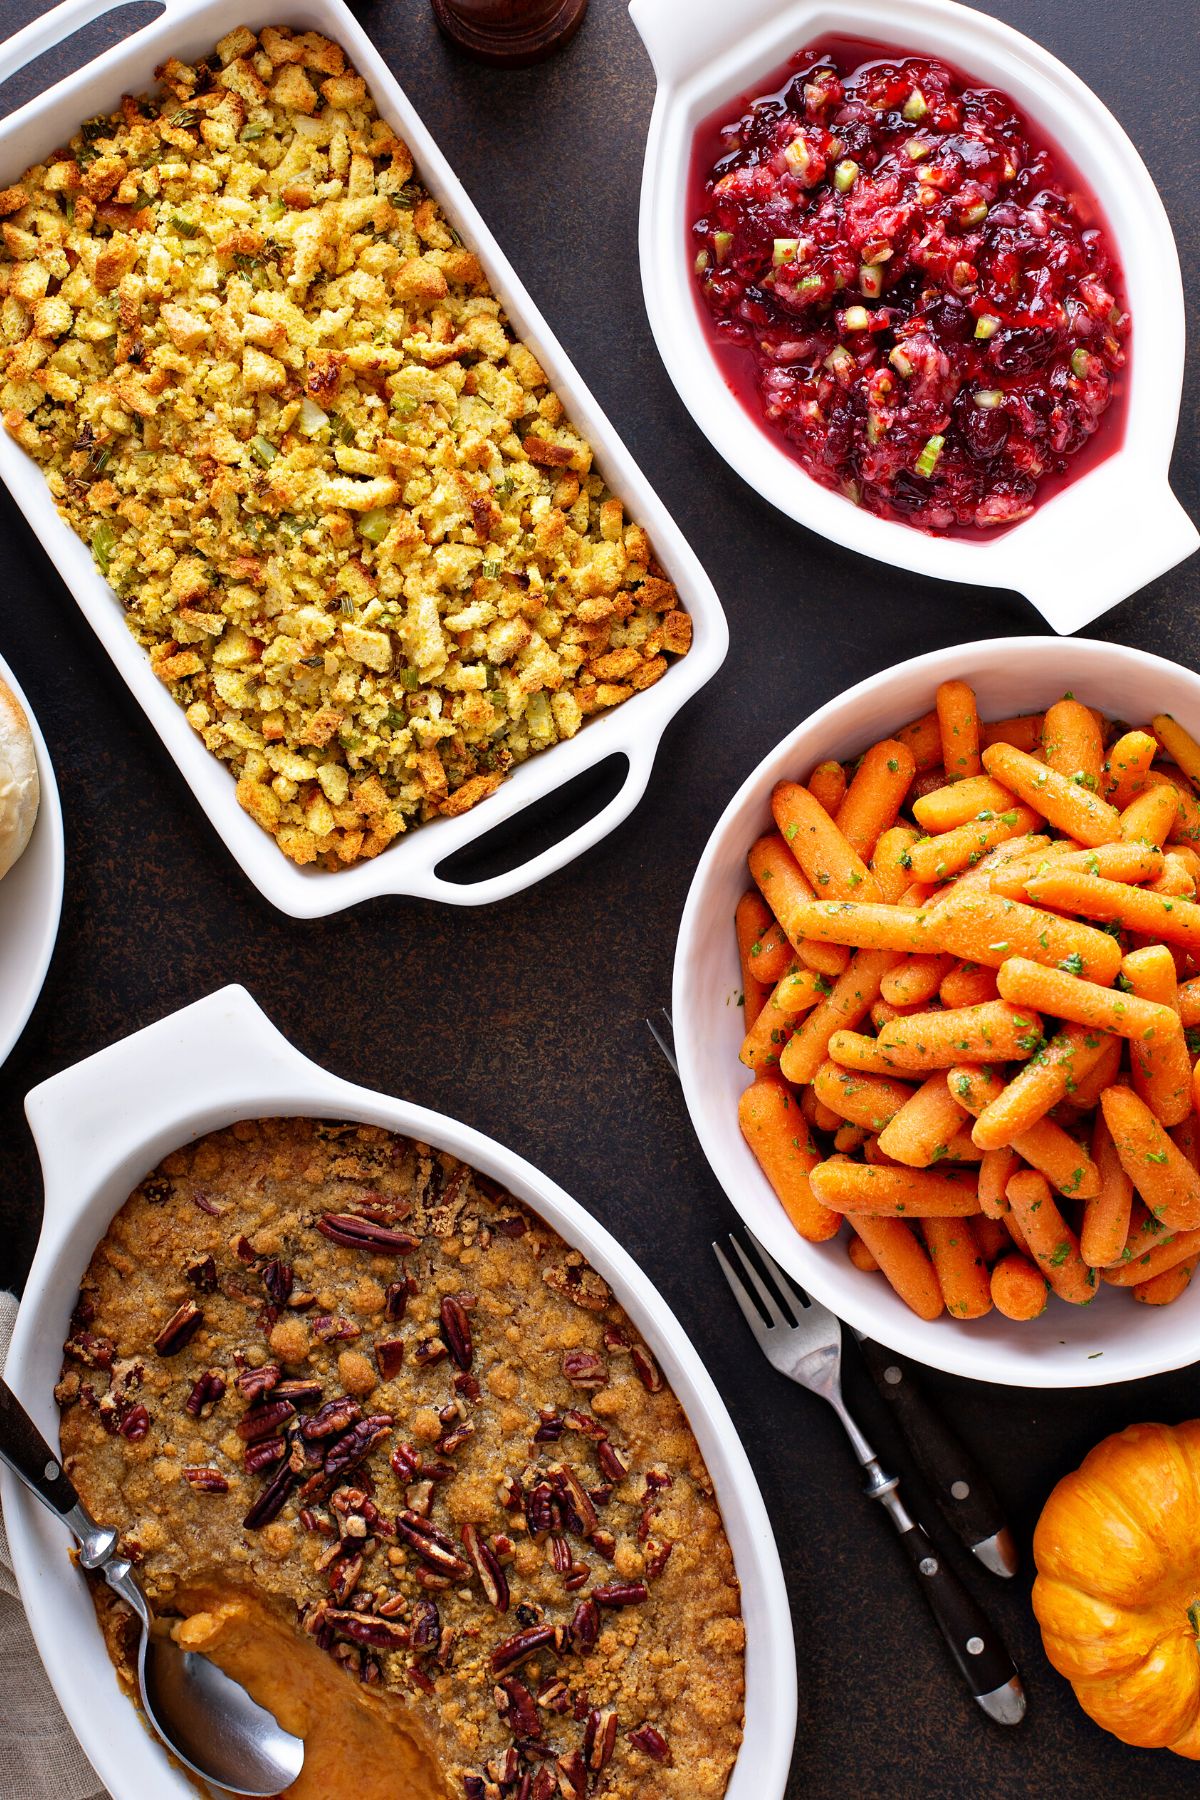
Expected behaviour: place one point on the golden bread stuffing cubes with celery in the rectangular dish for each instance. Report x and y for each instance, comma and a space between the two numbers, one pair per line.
339, 499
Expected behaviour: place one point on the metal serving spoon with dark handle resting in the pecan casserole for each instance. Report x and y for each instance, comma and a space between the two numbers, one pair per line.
201, 1714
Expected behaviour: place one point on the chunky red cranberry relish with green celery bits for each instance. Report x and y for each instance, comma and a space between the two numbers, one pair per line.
935, 323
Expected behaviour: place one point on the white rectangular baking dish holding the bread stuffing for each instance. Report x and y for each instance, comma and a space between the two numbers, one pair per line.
409, 865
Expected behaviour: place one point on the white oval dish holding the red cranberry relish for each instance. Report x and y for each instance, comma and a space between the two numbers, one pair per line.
1116, 525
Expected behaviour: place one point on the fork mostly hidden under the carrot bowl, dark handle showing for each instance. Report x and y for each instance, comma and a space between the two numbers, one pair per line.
956, 1480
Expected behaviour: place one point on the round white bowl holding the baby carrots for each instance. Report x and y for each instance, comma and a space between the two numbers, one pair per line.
1070, 1347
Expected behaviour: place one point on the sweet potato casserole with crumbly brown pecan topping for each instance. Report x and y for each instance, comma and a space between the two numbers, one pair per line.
393, 1455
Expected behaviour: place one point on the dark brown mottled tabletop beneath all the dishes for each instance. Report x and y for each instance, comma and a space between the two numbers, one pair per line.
526, 1020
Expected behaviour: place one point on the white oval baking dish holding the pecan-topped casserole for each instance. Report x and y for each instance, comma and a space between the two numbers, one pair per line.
100, 1128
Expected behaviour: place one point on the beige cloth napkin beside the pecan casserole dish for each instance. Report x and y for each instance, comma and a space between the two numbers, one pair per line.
40, 1758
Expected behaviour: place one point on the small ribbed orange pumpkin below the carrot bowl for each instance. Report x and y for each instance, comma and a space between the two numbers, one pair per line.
1118, 1590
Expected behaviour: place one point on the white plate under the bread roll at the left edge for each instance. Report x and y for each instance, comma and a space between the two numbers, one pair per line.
31, 897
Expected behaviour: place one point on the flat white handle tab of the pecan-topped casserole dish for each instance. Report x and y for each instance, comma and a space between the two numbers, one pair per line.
103, 1110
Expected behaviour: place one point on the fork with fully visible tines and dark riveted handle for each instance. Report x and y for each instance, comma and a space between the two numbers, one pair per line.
805, 1344
